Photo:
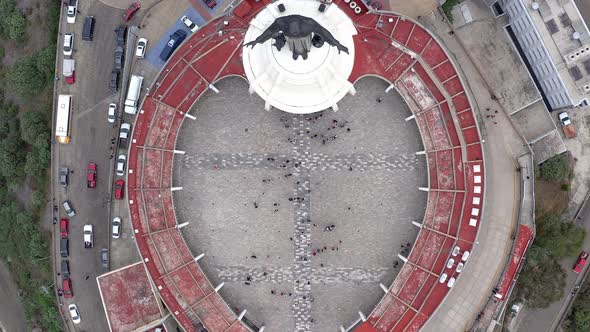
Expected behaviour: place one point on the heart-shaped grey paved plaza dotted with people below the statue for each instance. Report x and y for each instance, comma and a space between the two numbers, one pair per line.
259, 189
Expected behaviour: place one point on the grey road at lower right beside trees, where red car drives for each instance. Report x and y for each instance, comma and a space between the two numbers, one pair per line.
547, 319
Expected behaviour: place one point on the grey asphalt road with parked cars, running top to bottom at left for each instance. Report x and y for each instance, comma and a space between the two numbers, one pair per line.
90, 141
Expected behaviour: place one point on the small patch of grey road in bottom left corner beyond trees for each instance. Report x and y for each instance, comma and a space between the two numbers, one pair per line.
12, 313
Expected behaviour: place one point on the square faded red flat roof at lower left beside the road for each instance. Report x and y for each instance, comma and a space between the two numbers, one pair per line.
128, 298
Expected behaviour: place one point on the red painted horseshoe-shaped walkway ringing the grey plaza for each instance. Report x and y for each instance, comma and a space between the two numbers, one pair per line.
387, 45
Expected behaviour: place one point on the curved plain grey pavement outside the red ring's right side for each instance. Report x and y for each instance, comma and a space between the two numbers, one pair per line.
503, 145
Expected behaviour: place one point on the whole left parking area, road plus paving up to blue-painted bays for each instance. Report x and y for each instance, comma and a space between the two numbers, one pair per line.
93, 139
